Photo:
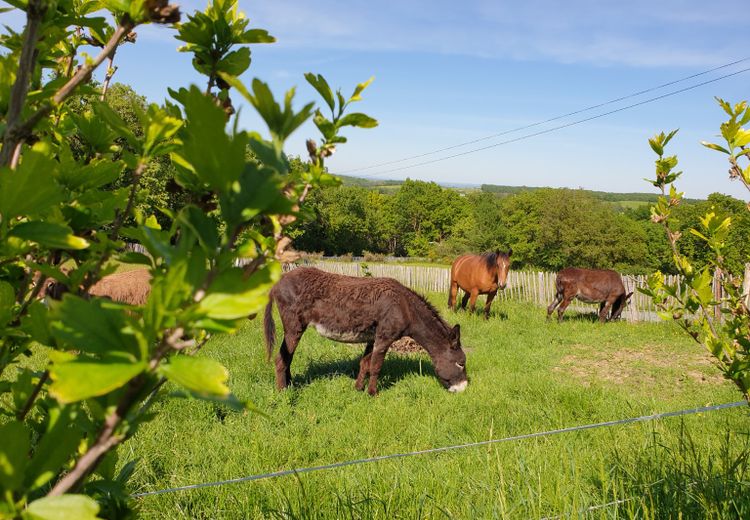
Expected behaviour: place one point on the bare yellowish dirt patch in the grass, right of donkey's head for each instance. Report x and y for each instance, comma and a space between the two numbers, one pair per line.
646, 365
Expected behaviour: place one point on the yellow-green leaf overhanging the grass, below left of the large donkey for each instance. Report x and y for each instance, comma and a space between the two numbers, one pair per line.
199, 375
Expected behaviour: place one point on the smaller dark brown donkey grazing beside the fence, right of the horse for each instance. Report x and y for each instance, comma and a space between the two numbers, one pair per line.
590, 286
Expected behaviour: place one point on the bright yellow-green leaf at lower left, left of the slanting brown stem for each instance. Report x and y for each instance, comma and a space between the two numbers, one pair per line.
83, 378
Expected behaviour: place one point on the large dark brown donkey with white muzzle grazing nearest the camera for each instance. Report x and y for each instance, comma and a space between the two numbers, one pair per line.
375, 311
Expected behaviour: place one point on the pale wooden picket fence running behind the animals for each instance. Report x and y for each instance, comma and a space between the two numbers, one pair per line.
529, 286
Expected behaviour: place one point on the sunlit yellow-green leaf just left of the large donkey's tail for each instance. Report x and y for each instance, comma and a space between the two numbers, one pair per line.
233, 296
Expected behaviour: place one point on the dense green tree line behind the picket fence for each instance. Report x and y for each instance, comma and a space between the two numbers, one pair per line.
547, 228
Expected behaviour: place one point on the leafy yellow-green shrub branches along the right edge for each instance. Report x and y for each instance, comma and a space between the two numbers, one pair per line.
720, 324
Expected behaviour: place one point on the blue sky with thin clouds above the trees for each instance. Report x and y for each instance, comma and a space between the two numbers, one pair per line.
448, 72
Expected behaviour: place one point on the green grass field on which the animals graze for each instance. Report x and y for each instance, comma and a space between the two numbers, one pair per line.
526, 375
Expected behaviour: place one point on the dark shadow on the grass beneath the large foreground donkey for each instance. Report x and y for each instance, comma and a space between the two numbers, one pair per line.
395, 367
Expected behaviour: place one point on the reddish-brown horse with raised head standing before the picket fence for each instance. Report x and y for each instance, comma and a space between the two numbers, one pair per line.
479, 274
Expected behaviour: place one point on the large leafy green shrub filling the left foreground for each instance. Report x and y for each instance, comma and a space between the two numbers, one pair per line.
65, 202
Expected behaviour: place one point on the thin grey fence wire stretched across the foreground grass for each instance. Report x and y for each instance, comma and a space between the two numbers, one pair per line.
297, 471
